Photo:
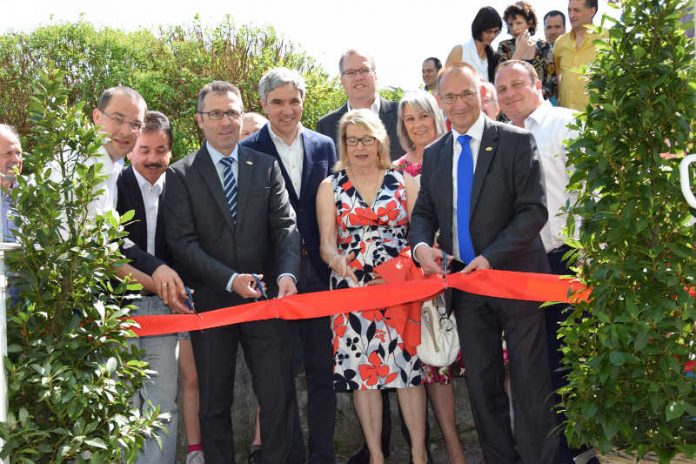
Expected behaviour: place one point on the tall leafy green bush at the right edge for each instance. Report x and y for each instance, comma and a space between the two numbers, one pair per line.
627, 347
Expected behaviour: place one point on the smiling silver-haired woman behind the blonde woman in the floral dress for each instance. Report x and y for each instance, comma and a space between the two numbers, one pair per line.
420, 124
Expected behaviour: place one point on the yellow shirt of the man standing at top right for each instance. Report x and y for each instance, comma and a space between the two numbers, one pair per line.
572, 88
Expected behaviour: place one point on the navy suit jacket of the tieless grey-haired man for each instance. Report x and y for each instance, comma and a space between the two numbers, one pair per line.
319, 158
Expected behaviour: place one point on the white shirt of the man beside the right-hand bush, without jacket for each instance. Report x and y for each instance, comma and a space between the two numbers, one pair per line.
549, 125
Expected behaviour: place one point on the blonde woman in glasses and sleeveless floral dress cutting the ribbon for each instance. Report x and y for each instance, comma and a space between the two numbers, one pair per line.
363, 221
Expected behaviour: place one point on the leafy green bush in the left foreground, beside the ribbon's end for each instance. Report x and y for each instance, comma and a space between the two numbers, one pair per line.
71, 374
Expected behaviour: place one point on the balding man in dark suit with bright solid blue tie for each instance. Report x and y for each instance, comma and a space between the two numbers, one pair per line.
482, 187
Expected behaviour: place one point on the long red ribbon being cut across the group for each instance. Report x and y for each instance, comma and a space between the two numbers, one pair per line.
405, 284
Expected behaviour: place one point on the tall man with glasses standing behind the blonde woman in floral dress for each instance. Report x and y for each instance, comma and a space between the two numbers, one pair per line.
359, 80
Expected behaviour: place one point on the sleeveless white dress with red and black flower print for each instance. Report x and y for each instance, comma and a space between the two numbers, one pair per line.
368, 352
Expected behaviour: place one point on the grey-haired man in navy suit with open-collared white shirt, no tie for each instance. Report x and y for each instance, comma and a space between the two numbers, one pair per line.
306, 158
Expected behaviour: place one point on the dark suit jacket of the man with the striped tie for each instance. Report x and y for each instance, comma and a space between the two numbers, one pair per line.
208, 246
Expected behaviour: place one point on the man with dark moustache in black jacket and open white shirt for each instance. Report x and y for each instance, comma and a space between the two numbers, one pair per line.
139, 189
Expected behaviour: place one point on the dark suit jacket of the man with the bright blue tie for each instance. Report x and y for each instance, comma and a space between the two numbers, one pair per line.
508, 204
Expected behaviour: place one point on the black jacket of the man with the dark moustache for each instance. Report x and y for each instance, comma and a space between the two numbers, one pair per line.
131, 198
